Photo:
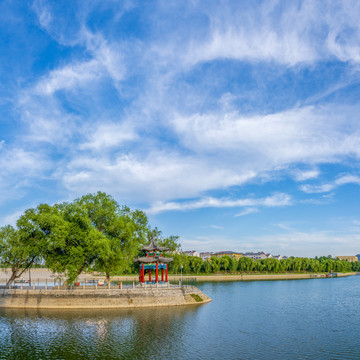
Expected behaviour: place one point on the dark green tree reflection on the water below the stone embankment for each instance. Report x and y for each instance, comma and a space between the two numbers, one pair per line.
96, 334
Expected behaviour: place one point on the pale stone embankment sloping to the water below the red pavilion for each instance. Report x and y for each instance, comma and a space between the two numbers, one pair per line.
105, 298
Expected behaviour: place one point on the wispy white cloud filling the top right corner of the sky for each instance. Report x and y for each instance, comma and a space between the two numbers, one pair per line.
295, 33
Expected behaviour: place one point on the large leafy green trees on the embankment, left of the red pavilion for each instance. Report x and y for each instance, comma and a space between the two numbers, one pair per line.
91, 233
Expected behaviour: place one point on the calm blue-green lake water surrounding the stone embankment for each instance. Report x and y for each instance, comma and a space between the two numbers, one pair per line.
301, 319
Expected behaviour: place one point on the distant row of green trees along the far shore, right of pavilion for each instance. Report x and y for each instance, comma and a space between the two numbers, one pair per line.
195, 265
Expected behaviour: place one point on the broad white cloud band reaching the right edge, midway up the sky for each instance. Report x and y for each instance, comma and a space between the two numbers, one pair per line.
310, 135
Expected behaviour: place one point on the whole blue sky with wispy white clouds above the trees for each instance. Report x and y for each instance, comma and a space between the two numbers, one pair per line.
234, 124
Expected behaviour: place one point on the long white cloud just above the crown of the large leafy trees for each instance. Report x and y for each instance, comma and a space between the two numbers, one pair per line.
157, 176
